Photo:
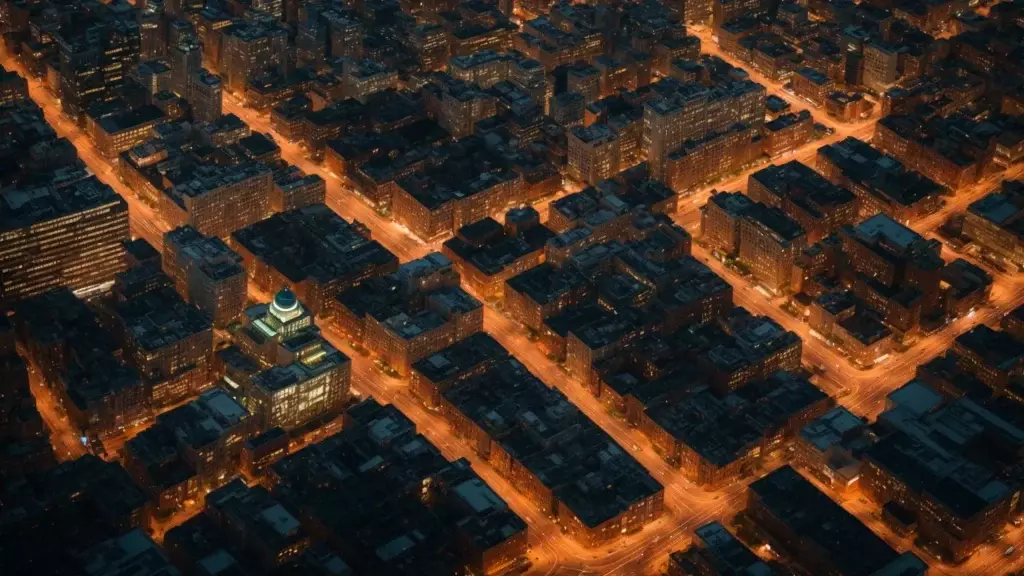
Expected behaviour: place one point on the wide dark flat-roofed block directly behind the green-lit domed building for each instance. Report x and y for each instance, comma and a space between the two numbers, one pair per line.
314, 253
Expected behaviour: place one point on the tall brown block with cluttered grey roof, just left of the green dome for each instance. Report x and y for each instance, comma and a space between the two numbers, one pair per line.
206, 273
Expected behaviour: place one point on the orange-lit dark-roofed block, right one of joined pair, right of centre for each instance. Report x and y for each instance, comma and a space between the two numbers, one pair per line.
770, 244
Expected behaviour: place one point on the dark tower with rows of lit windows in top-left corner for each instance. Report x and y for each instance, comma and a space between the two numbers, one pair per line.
97, 57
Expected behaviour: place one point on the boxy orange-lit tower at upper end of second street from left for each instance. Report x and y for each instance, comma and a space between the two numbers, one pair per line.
249, 50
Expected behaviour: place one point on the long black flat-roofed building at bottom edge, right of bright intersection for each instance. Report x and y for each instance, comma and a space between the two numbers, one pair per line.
822, 537
